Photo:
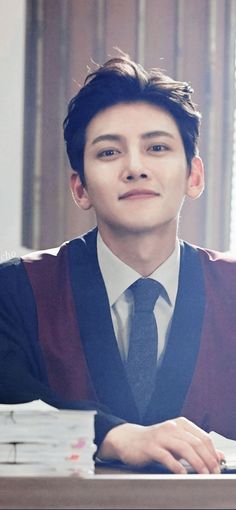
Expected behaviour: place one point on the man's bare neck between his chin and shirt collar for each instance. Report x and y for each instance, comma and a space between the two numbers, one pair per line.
143, 252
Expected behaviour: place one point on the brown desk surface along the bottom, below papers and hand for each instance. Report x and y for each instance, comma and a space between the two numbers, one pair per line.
114, 490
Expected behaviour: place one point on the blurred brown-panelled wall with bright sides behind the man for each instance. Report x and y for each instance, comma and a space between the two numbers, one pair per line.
46, 49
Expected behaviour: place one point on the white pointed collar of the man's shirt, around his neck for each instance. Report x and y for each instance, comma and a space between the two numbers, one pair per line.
118, 276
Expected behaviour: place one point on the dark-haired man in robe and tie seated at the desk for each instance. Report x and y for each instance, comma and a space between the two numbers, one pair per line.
70, 317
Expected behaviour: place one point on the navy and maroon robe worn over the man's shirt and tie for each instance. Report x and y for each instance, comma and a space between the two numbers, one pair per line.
57, 340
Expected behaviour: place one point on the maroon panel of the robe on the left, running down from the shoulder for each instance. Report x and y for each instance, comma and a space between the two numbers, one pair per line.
58, 329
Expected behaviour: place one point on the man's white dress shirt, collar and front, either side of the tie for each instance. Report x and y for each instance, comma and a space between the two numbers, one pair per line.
118, 277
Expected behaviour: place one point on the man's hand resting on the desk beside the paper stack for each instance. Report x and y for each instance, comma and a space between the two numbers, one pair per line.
167, 443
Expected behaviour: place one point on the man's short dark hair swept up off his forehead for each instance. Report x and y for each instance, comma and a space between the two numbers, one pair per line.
120, 80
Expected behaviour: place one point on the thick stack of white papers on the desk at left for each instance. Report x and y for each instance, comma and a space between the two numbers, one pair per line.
36, 438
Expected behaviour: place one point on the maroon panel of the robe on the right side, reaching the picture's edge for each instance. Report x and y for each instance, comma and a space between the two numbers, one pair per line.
211, 399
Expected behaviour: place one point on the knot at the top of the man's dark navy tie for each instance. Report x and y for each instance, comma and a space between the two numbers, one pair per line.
145, 292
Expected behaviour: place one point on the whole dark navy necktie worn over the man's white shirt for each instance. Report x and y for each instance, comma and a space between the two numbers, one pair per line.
142, 355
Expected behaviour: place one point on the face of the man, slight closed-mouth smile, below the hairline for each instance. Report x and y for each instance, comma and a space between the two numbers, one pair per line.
135, 170
